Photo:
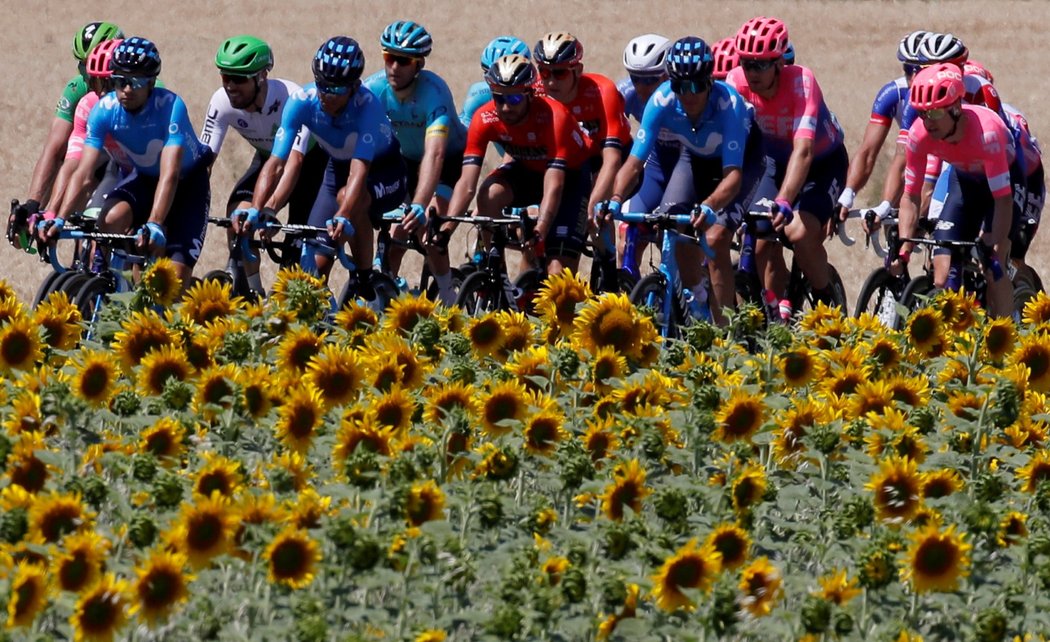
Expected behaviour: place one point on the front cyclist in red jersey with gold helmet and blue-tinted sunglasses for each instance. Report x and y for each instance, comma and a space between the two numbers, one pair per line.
549, 161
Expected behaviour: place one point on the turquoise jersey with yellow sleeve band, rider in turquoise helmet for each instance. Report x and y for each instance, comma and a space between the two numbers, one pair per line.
430, 111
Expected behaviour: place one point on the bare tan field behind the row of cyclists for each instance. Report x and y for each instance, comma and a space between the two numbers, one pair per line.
851, 47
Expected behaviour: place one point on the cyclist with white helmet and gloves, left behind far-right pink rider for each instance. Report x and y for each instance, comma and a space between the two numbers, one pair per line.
890, 106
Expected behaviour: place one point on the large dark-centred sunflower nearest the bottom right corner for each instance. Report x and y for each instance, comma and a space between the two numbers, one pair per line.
936, 561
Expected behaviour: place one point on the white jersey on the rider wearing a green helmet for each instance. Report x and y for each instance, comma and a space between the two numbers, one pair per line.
258, 128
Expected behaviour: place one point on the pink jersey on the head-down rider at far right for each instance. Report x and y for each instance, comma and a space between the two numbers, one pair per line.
986, 150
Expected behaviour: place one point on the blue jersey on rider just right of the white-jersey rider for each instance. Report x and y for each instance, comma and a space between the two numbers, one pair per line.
362, 131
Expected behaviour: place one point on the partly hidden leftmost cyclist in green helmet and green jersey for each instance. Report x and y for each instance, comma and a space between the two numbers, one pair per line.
51, 157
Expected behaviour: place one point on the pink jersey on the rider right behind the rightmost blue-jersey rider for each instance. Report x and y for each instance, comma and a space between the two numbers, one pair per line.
797, 112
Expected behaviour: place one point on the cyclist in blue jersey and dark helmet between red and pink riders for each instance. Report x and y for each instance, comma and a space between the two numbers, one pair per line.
722, 165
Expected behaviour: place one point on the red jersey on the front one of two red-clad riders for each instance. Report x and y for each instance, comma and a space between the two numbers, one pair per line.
549, 137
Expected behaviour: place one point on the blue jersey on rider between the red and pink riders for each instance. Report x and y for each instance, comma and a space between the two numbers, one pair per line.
722, 131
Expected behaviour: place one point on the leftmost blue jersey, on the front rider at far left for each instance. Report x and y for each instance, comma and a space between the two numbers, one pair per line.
162, 122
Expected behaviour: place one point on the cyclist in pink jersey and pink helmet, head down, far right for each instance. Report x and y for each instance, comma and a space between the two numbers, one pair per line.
979, 147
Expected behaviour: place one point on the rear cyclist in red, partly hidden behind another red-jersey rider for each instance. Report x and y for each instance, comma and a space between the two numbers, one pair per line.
593, 99
